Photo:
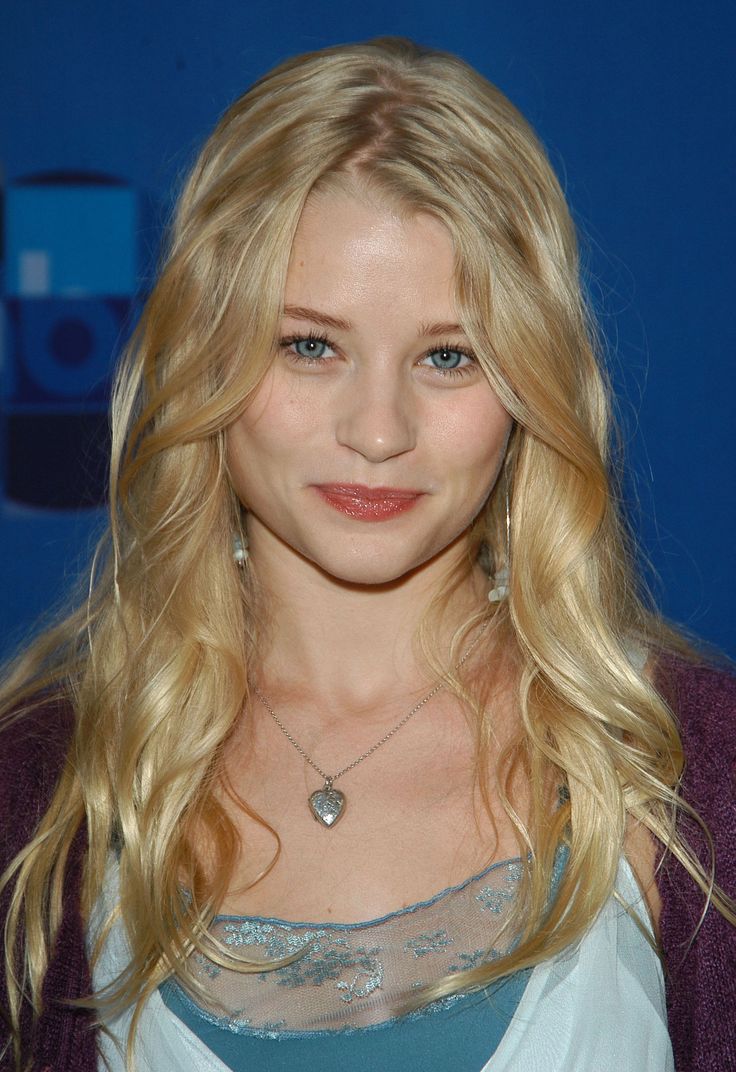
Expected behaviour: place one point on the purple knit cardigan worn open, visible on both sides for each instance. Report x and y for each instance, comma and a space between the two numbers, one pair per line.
701, 978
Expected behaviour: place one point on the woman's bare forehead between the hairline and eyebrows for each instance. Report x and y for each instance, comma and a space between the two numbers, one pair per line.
352, 247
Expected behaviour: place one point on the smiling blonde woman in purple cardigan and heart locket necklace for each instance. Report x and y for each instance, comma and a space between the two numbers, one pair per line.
364, 751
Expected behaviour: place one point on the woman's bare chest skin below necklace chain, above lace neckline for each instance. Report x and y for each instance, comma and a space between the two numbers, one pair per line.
414, 824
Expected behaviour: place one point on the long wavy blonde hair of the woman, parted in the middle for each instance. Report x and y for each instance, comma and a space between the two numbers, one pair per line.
156, 665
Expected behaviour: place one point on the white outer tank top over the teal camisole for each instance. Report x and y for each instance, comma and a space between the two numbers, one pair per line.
597, 1008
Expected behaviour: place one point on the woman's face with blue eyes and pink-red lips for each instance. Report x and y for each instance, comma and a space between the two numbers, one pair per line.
375, 439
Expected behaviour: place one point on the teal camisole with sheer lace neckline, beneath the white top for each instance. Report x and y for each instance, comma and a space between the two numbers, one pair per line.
340, 1005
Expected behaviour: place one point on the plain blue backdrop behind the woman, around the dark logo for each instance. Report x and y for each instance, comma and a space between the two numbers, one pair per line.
635, 101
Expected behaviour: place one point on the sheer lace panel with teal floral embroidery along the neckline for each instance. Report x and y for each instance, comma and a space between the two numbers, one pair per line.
355, 976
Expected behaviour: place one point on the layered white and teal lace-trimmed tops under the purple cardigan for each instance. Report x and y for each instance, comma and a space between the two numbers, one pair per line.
566, 1014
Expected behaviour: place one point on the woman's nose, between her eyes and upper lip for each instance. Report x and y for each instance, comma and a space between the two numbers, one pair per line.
377, 418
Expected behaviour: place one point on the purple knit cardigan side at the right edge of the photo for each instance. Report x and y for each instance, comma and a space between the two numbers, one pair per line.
701, 949
